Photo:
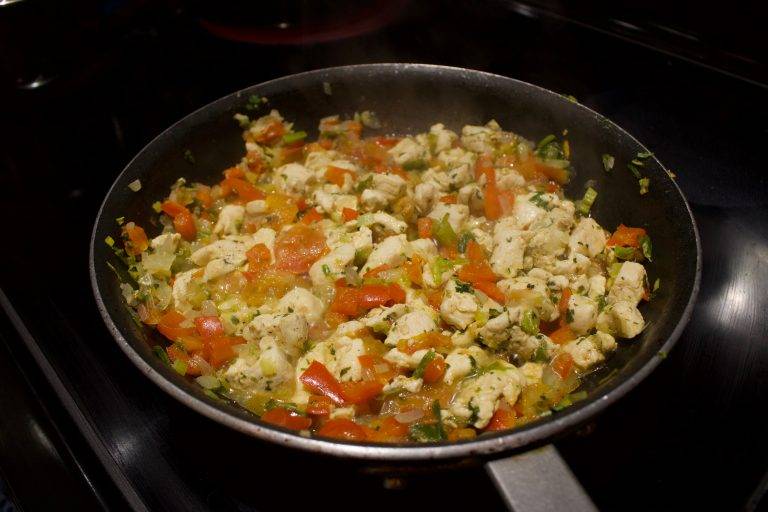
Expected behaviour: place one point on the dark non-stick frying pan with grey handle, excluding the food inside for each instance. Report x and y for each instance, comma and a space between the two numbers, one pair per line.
408, 98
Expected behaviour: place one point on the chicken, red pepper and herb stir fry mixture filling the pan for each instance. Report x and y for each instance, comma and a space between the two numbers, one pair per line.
387, 289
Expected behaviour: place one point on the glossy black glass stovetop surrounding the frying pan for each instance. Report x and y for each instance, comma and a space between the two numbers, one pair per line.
80, 428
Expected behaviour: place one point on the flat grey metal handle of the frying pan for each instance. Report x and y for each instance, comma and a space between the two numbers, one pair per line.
539, 480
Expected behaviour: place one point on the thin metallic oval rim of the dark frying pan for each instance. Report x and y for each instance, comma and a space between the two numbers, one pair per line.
537, 432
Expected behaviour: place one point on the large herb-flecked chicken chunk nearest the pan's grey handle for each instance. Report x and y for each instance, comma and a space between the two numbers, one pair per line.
478, 398
